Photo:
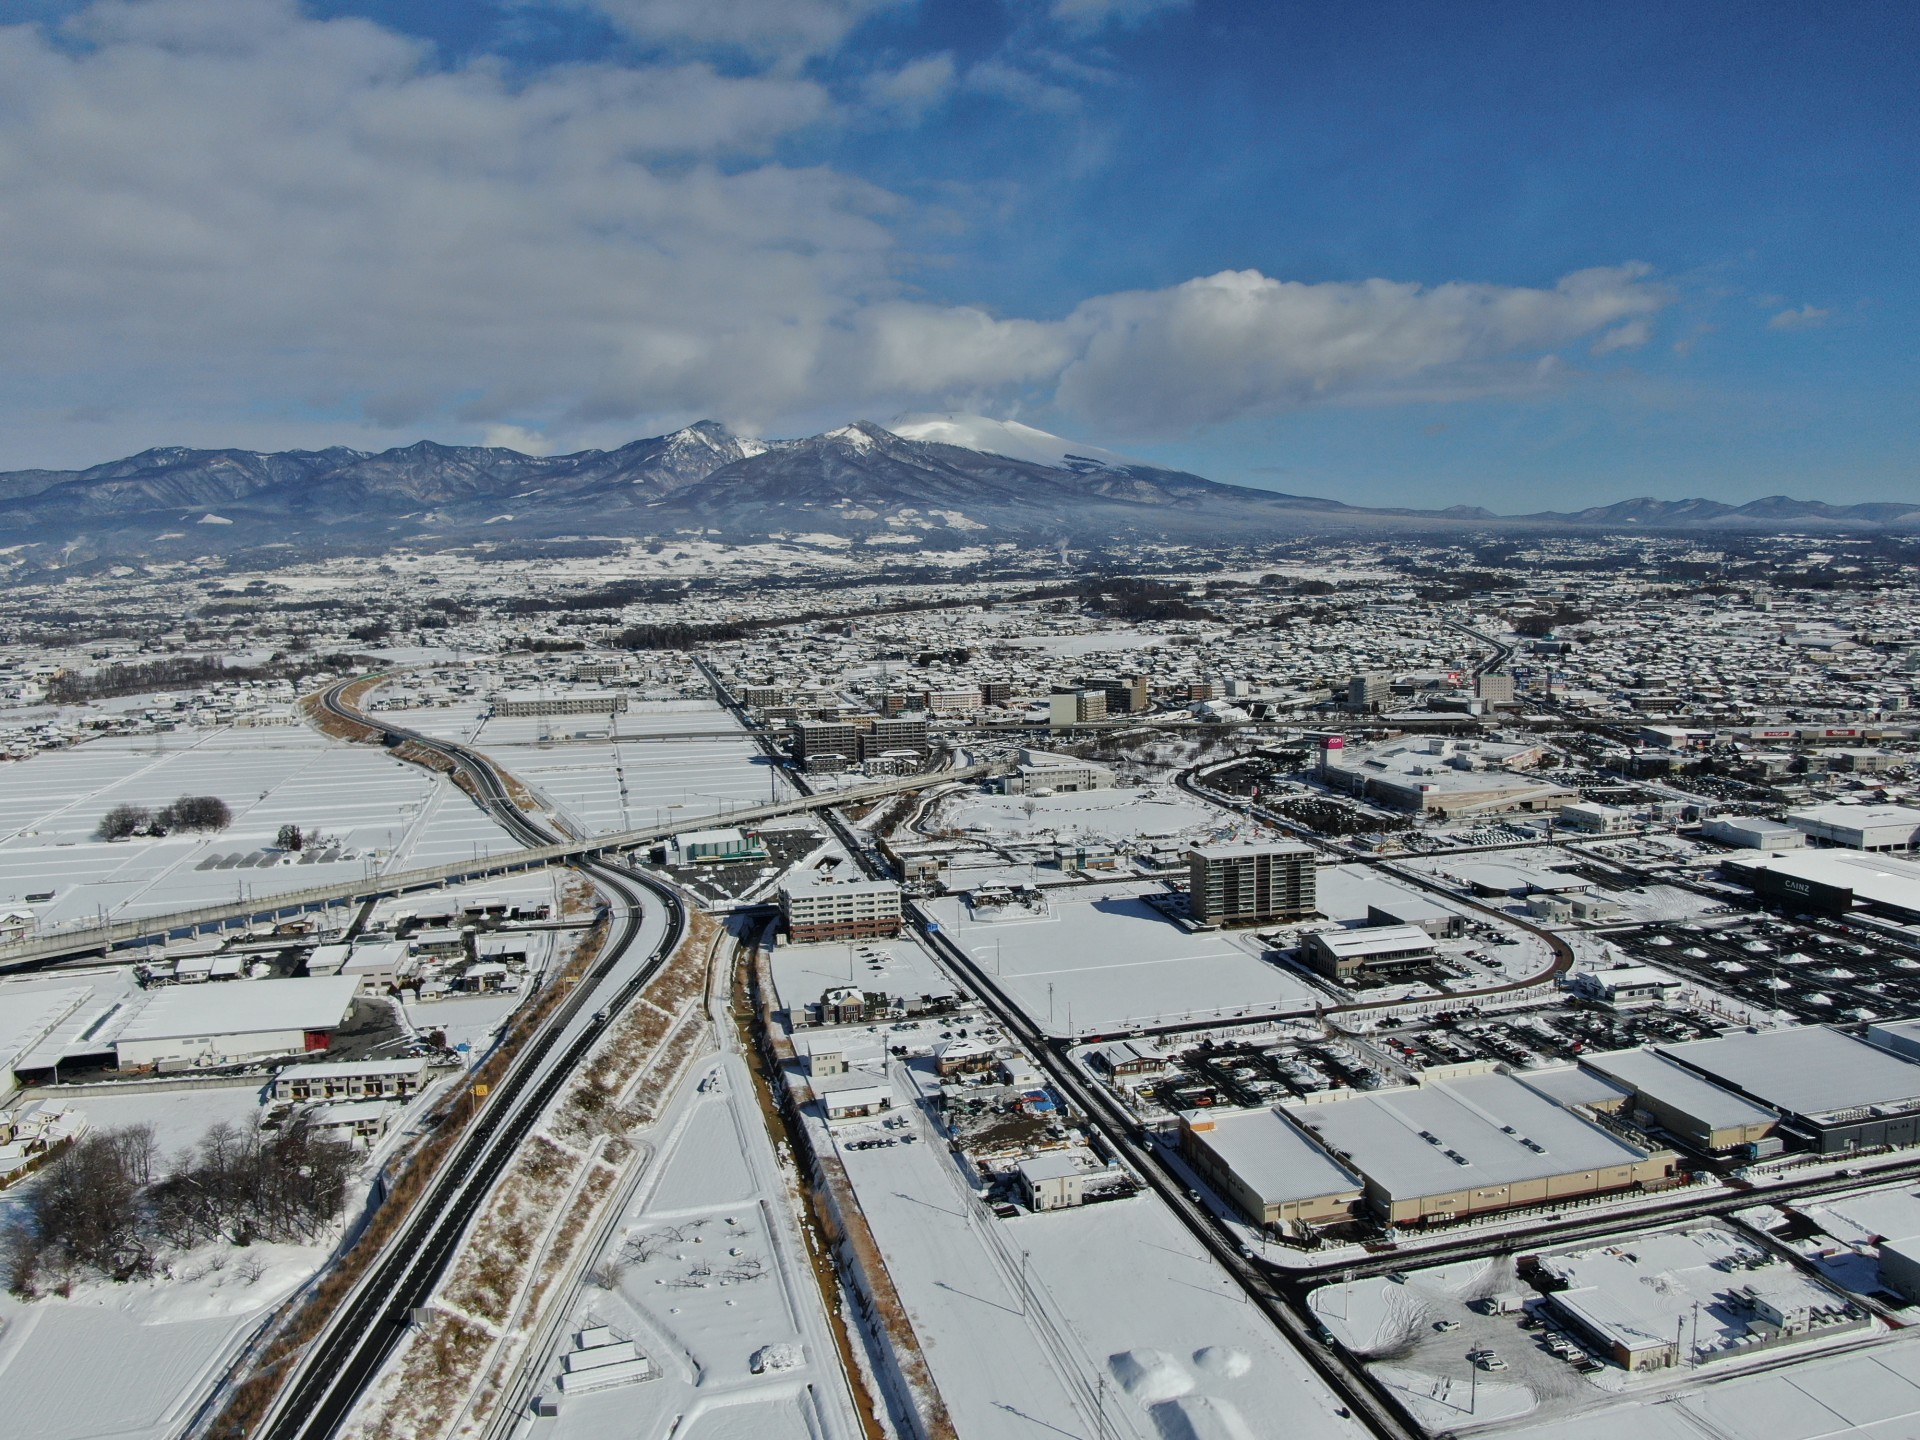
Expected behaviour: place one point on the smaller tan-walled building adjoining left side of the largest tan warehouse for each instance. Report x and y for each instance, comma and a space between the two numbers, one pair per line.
1268, 1170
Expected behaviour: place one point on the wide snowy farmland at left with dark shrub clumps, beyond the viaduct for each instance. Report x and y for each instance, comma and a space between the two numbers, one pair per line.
358, 796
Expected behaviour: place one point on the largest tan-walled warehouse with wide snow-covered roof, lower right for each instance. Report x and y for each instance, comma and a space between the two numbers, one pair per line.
1470, 1145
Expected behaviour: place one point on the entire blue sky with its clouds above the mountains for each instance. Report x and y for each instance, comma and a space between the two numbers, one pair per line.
1504, 254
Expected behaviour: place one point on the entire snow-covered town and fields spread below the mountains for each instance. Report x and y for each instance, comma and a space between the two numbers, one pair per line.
1134, 1003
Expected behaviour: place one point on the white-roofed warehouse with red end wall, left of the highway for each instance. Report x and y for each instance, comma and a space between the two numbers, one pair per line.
229, 1024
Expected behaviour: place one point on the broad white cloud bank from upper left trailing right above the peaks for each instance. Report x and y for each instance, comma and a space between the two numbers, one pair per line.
231, 224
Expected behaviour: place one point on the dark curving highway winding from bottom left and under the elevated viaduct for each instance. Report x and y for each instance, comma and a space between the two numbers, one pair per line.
648, 923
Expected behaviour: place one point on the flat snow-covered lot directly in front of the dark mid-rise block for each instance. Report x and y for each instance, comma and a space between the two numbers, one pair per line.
1105, 961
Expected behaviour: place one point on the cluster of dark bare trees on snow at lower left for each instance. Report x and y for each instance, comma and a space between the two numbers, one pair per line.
108, 1209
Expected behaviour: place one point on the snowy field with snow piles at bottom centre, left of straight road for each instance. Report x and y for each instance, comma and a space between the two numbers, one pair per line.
1105, 1320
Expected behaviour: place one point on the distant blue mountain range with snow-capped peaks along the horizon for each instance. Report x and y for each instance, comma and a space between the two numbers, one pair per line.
930, 479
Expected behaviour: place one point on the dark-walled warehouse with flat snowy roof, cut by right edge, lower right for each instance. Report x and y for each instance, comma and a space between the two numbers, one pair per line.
1833, 1092
